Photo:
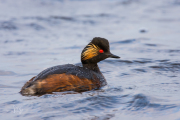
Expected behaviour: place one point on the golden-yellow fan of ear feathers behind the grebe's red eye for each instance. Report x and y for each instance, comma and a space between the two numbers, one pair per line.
90, 52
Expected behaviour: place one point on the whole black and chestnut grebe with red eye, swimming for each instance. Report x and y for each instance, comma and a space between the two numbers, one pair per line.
71, 77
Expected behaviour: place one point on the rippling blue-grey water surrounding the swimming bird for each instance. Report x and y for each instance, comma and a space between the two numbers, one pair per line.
143, 84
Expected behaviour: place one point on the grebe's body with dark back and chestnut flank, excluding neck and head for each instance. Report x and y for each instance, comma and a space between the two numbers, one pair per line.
64, 78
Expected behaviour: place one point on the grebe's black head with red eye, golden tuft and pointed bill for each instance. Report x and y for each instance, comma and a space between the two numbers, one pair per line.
96, 50
